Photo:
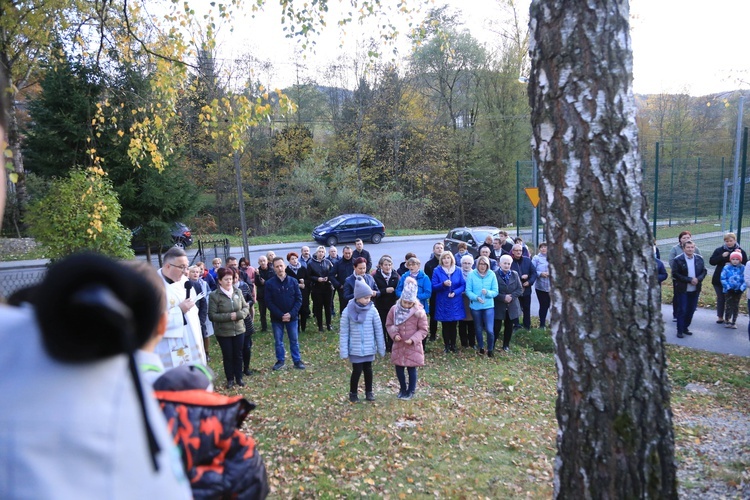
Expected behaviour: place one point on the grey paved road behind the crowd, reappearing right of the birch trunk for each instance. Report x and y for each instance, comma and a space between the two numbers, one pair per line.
707, 334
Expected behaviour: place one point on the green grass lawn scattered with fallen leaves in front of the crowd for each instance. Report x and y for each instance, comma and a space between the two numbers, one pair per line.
477, 427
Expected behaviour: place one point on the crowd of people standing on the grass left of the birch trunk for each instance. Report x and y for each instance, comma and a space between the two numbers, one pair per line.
471, 302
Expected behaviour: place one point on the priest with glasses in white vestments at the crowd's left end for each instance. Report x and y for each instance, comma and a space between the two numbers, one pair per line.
183, 341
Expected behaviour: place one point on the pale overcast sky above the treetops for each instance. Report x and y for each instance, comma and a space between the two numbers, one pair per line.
692, 46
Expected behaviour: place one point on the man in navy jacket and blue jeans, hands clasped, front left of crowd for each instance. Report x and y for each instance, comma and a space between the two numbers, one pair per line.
284, 299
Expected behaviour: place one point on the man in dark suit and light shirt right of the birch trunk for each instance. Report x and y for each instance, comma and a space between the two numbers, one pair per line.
688, 272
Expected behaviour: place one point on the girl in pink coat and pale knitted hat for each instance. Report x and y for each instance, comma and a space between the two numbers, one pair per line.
407, 325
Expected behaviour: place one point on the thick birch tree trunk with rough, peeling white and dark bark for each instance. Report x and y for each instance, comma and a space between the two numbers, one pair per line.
615, 436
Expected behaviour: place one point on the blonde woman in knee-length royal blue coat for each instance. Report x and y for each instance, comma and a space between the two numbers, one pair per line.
448, 283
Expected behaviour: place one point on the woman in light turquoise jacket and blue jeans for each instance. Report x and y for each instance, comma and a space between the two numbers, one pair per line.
481, 289
